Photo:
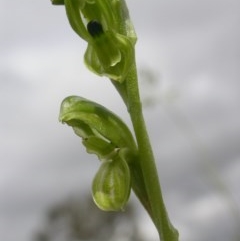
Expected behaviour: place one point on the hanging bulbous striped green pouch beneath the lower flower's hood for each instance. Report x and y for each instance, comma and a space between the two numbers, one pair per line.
112, 184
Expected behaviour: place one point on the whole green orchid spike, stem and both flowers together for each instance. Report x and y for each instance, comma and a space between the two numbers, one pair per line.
106, 27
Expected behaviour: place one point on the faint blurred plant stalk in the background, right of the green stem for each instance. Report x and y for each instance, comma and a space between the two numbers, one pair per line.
150, 81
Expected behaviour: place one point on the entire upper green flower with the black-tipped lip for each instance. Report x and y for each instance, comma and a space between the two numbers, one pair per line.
106, 26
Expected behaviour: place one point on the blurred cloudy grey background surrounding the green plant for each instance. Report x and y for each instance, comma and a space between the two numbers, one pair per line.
188, 58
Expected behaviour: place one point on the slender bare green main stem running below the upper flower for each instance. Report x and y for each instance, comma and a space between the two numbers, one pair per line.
147, 163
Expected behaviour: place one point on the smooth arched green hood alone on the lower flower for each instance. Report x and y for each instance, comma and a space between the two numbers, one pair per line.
89, 118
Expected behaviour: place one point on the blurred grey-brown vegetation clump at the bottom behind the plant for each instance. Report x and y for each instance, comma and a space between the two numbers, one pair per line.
78, 219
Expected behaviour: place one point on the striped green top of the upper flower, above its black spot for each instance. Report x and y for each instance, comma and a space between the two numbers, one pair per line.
112, 14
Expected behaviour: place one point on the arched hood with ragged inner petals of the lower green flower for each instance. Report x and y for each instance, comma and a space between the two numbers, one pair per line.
101, 130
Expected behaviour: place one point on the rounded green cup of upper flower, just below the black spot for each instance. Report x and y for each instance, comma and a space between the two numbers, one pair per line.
110, 55
